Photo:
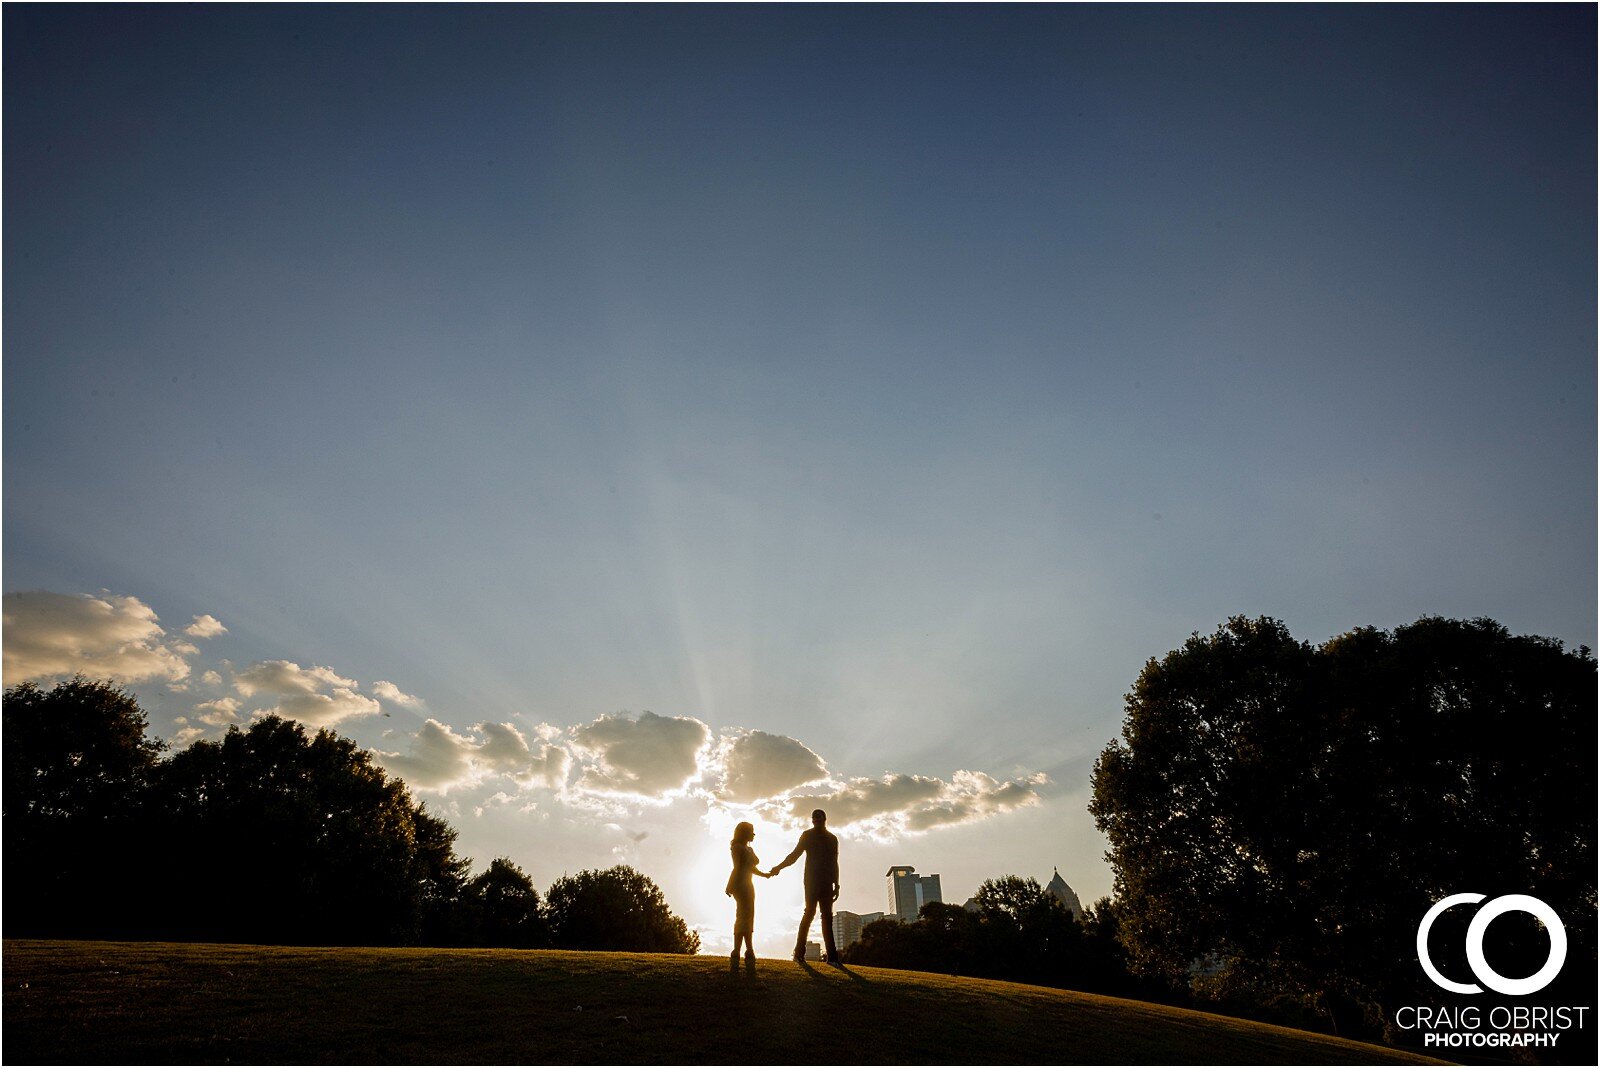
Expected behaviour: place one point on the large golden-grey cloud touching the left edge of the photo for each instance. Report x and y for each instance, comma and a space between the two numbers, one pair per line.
50, 636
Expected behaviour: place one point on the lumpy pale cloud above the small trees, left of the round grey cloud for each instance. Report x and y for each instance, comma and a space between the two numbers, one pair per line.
442, 760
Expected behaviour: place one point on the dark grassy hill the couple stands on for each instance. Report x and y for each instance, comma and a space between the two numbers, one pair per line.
114, 1002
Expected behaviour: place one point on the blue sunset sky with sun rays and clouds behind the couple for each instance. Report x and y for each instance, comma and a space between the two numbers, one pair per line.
628, 421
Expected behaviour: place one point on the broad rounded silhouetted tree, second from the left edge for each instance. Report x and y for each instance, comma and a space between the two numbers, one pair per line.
279, 837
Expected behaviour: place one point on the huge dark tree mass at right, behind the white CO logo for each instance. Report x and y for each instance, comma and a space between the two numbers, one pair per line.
1294, 811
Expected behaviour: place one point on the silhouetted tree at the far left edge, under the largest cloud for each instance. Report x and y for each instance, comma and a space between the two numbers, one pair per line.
78, 770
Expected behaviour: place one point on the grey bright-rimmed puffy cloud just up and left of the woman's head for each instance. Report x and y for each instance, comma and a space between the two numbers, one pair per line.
649, 757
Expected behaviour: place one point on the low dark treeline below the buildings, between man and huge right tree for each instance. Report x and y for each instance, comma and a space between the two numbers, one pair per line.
1020, 933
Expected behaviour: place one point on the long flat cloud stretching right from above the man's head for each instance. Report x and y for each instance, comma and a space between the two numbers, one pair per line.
897, 805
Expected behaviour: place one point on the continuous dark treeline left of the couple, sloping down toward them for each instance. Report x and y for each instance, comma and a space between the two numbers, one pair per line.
270, 835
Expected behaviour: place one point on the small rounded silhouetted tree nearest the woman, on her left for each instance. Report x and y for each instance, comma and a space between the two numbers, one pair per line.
617, 909
